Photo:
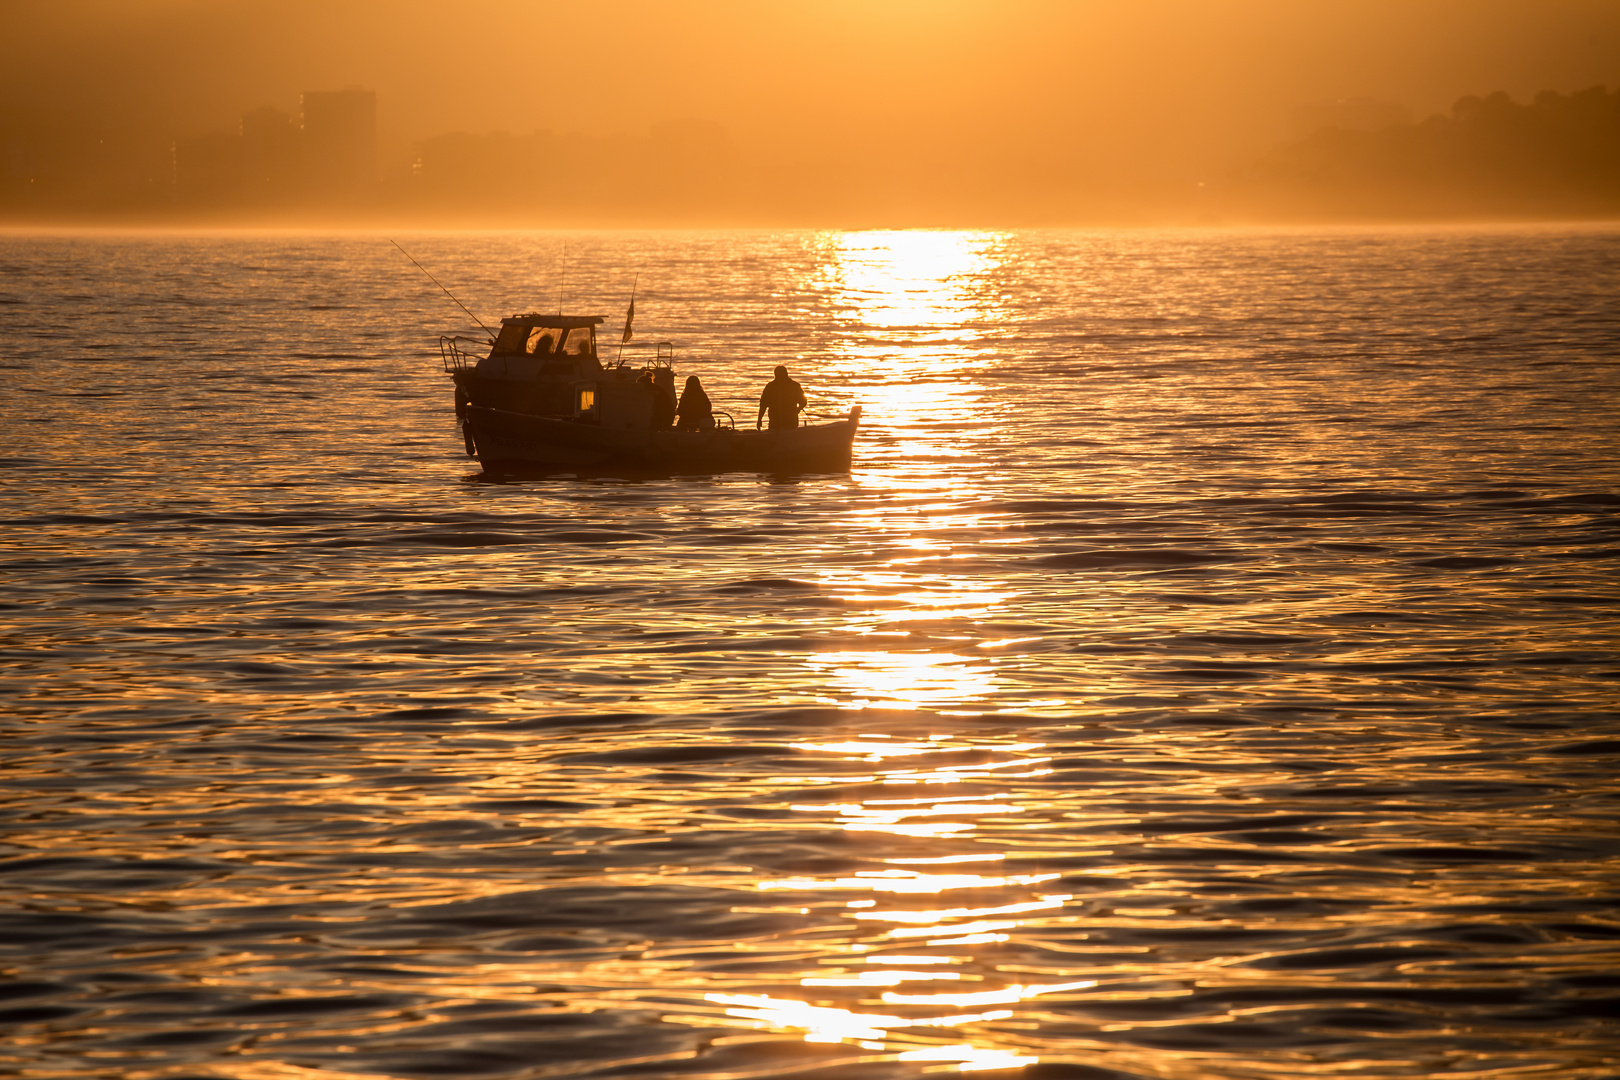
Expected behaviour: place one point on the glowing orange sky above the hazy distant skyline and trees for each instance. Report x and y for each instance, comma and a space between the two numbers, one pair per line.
1112, 87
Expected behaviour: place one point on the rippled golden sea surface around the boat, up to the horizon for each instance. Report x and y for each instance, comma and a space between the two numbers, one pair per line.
1206, 671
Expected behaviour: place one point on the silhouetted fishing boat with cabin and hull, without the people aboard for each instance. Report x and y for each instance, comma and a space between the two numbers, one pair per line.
542, 401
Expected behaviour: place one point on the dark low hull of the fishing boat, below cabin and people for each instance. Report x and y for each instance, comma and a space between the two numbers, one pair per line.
514, 443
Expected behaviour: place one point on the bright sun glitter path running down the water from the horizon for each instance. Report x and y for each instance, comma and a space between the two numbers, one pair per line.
918, 313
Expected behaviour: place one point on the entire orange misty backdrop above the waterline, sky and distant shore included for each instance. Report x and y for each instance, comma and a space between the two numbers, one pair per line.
837, 114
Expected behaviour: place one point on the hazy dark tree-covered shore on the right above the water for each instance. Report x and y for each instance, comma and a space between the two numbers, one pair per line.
1558, 156
